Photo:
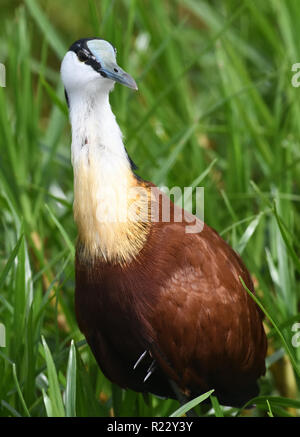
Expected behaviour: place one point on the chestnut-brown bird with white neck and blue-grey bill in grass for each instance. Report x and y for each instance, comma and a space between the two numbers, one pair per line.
163, 308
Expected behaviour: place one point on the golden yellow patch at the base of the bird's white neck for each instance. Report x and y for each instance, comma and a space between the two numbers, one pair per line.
111, 209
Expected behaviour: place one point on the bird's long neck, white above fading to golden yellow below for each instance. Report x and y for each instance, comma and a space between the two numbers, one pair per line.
104, 184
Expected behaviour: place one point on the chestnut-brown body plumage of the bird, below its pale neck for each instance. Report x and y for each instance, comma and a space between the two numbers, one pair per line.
181, 300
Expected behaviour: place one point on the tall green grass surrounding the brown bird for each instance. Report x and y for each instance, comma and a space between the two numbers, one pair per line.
214, 87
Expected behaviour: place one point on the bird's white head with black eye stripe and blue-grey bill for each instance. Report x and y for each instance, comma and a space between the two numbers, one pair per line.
90, 63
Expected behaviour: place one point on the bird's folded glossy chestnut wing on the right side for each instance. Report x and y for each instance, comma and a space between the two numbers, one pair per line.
208, 328
